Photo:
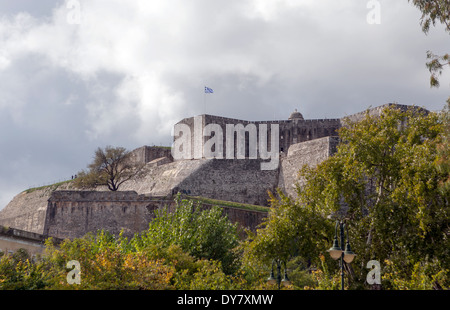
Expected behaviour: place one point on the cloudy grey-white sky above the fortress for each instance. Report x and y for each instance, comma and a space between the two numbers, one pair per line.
76, 75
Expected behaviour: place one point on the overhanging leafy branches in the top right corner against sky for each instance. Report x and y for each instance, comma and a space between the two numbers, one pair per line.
432, 11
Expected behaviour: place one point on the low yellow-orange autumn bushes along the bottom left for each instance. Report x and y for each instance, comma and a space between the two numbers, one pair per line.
117, 263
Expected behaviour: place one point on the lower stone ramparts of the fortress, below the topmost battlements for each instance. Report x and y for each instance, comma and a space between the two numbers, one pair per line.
60, 211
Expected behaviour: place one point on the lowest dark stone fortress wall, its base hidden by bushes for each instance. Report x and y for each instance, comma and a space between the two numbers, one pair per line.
72, 214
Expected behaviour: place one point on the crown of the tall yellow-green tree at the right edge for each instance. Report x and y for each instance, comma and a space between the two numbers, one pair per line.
395, 206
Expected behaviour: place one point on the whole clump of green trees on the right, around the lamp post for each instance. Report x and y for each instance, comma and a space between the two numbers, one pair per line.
384, 180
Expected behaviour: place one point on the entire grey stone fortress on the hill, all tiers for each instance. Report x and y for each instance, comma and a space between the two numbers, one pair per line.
61, 211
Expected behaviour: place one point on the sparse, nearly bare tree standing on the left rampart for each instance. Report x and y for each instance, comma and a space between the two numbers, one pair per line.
111, 167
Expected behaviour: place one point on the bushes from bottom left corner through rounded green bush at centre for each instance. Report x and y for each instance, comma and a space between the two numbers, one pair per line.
194, 249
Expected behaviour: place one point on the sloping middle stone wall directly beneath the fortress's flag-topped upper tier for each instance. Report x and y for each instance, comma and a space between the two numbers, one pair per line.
235, 180
